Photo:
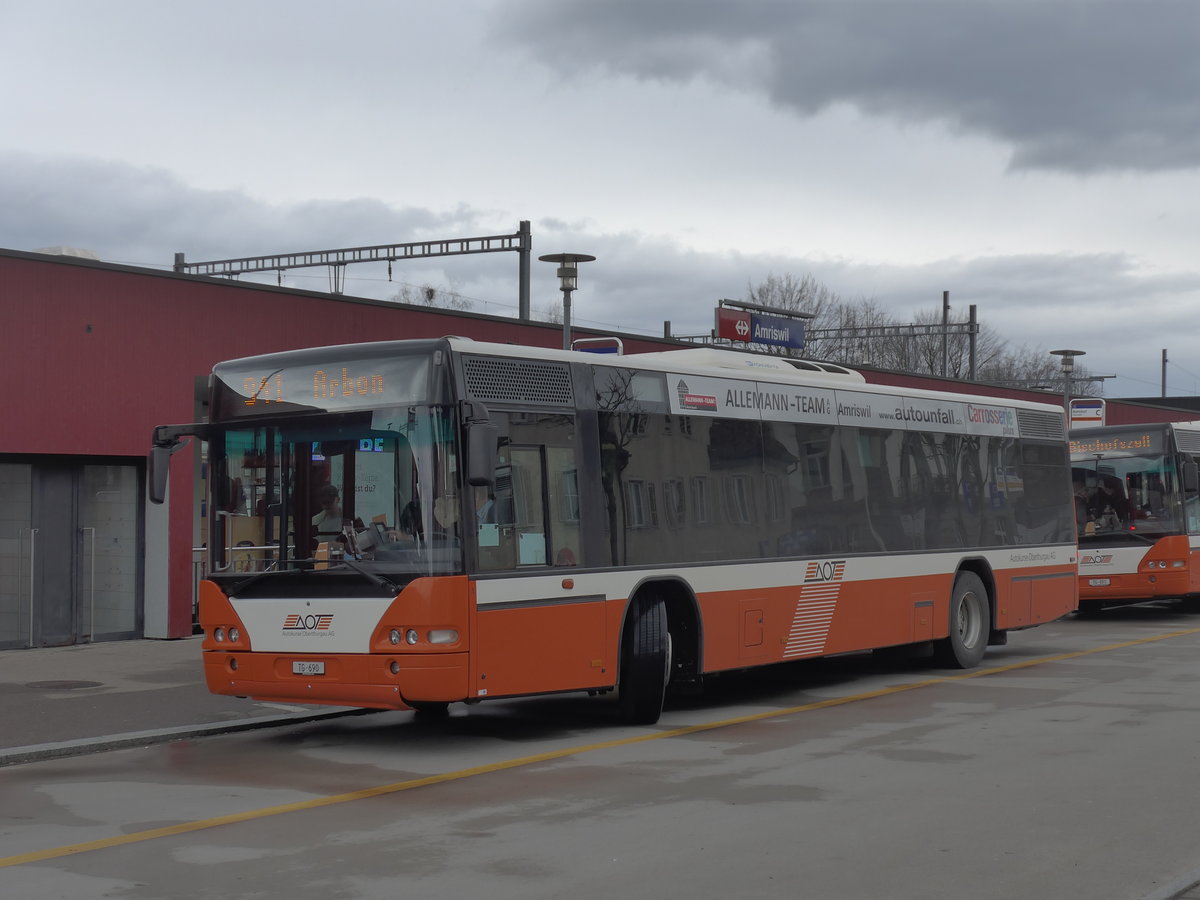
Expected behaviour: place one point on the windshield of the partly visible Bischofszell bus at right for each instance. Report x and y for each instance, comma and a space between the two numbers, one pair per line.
1126, 495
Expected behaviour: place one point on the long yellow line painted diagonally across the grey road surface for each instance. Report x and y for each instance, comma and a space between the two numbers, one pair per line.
460, 775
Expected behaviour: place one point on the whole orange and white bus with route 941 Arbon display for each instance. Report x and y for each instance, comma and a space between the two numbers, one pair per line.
457, 521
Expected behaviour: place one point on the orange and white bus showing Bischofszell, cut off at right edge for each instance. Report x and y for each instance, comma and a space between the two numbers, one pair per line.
1138, 513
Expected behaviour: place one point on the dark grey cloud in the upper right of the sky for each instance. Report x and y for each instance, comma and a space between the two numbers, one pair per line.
1070, 86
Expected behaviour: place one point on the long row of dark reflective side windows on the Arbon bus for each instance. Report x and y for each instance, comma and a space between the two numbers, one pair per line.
796, 489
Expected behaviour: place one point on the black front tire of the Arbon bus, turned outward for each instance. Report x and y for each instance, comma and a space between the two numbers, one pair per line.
645, 661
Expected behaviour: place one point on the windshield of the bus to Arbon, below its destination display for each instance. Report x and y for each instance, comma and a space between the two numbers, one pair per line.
371, 491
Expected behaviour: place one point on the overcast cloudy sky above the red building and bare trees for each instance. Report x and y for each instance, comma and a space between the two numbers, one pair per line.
1036, 159
